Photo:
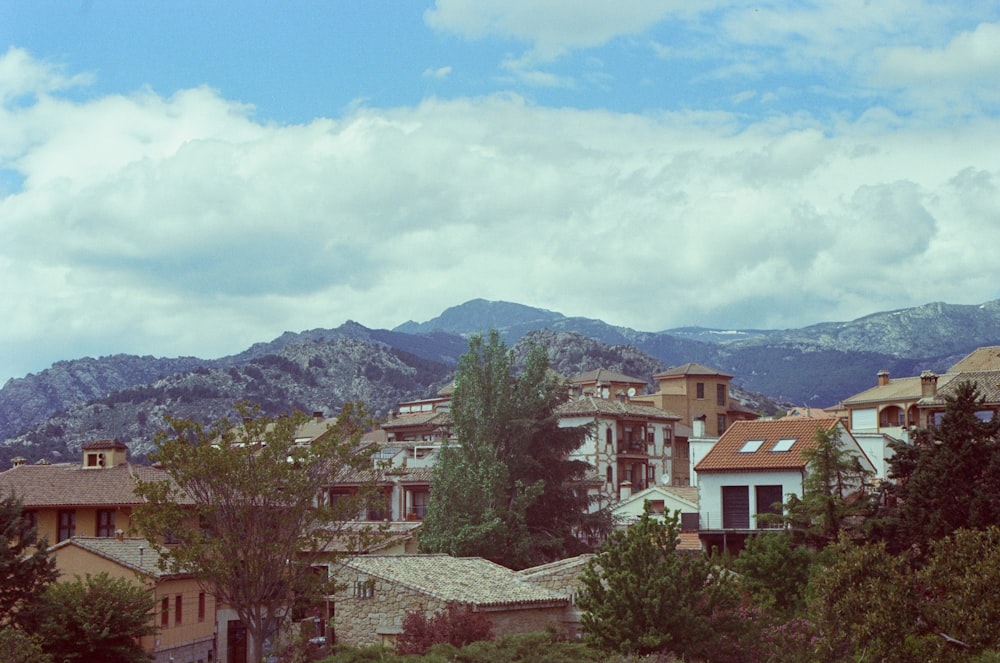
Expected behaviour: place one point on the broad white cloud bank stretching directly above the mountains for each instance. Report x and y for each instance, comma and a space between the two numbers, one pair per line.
179, 225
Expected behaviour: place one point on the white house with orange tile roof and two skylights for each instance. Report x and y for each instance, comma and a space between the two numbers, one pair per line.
752, 469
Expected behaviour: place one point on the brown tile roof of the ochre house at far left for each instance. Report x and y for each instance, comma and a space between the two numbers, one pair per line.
67, 484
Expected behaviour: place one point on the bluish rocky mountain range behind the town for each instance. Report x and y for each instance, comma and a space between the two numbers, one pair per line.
49, 414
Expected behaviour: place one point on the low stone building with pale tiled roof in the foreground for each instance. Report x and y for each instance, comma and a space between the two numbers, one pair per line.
378, 591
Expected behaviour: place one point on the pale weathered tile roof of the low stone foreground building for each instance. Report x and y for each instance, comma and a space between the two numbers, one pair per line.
461, 579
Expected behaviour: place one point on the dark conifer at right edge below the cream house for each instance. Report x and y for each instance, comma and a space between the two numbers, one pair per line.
948, 478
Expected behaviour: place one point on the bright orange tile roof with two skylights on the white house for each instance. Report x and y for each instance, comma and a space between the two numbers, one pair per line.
726, 456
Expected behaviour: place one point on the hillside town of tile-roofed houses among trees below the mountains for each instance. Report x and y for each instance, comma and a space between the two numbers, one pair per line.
719, 476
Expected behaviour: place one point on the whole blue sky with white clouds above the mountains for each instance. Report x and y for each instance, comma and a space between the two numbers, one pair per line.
189, 178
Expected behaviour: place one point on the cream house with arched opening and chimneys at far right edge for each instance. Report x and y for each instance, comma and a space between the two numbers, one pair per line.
894, 405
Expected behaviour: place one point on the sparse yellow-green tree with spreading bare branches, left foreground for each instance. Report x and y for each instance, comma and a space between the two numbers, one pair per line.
245, 503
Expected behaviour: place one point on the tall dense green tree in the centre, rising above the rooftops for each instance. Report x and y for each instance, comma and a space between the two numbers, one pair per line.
508, 491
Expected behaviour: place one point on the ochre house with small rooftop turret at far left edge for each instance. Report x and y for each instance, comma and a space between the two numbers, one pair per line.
95, 498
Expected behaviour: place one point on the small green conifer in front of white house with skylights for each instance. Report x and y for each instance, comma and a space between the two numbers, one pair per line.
834, 493
